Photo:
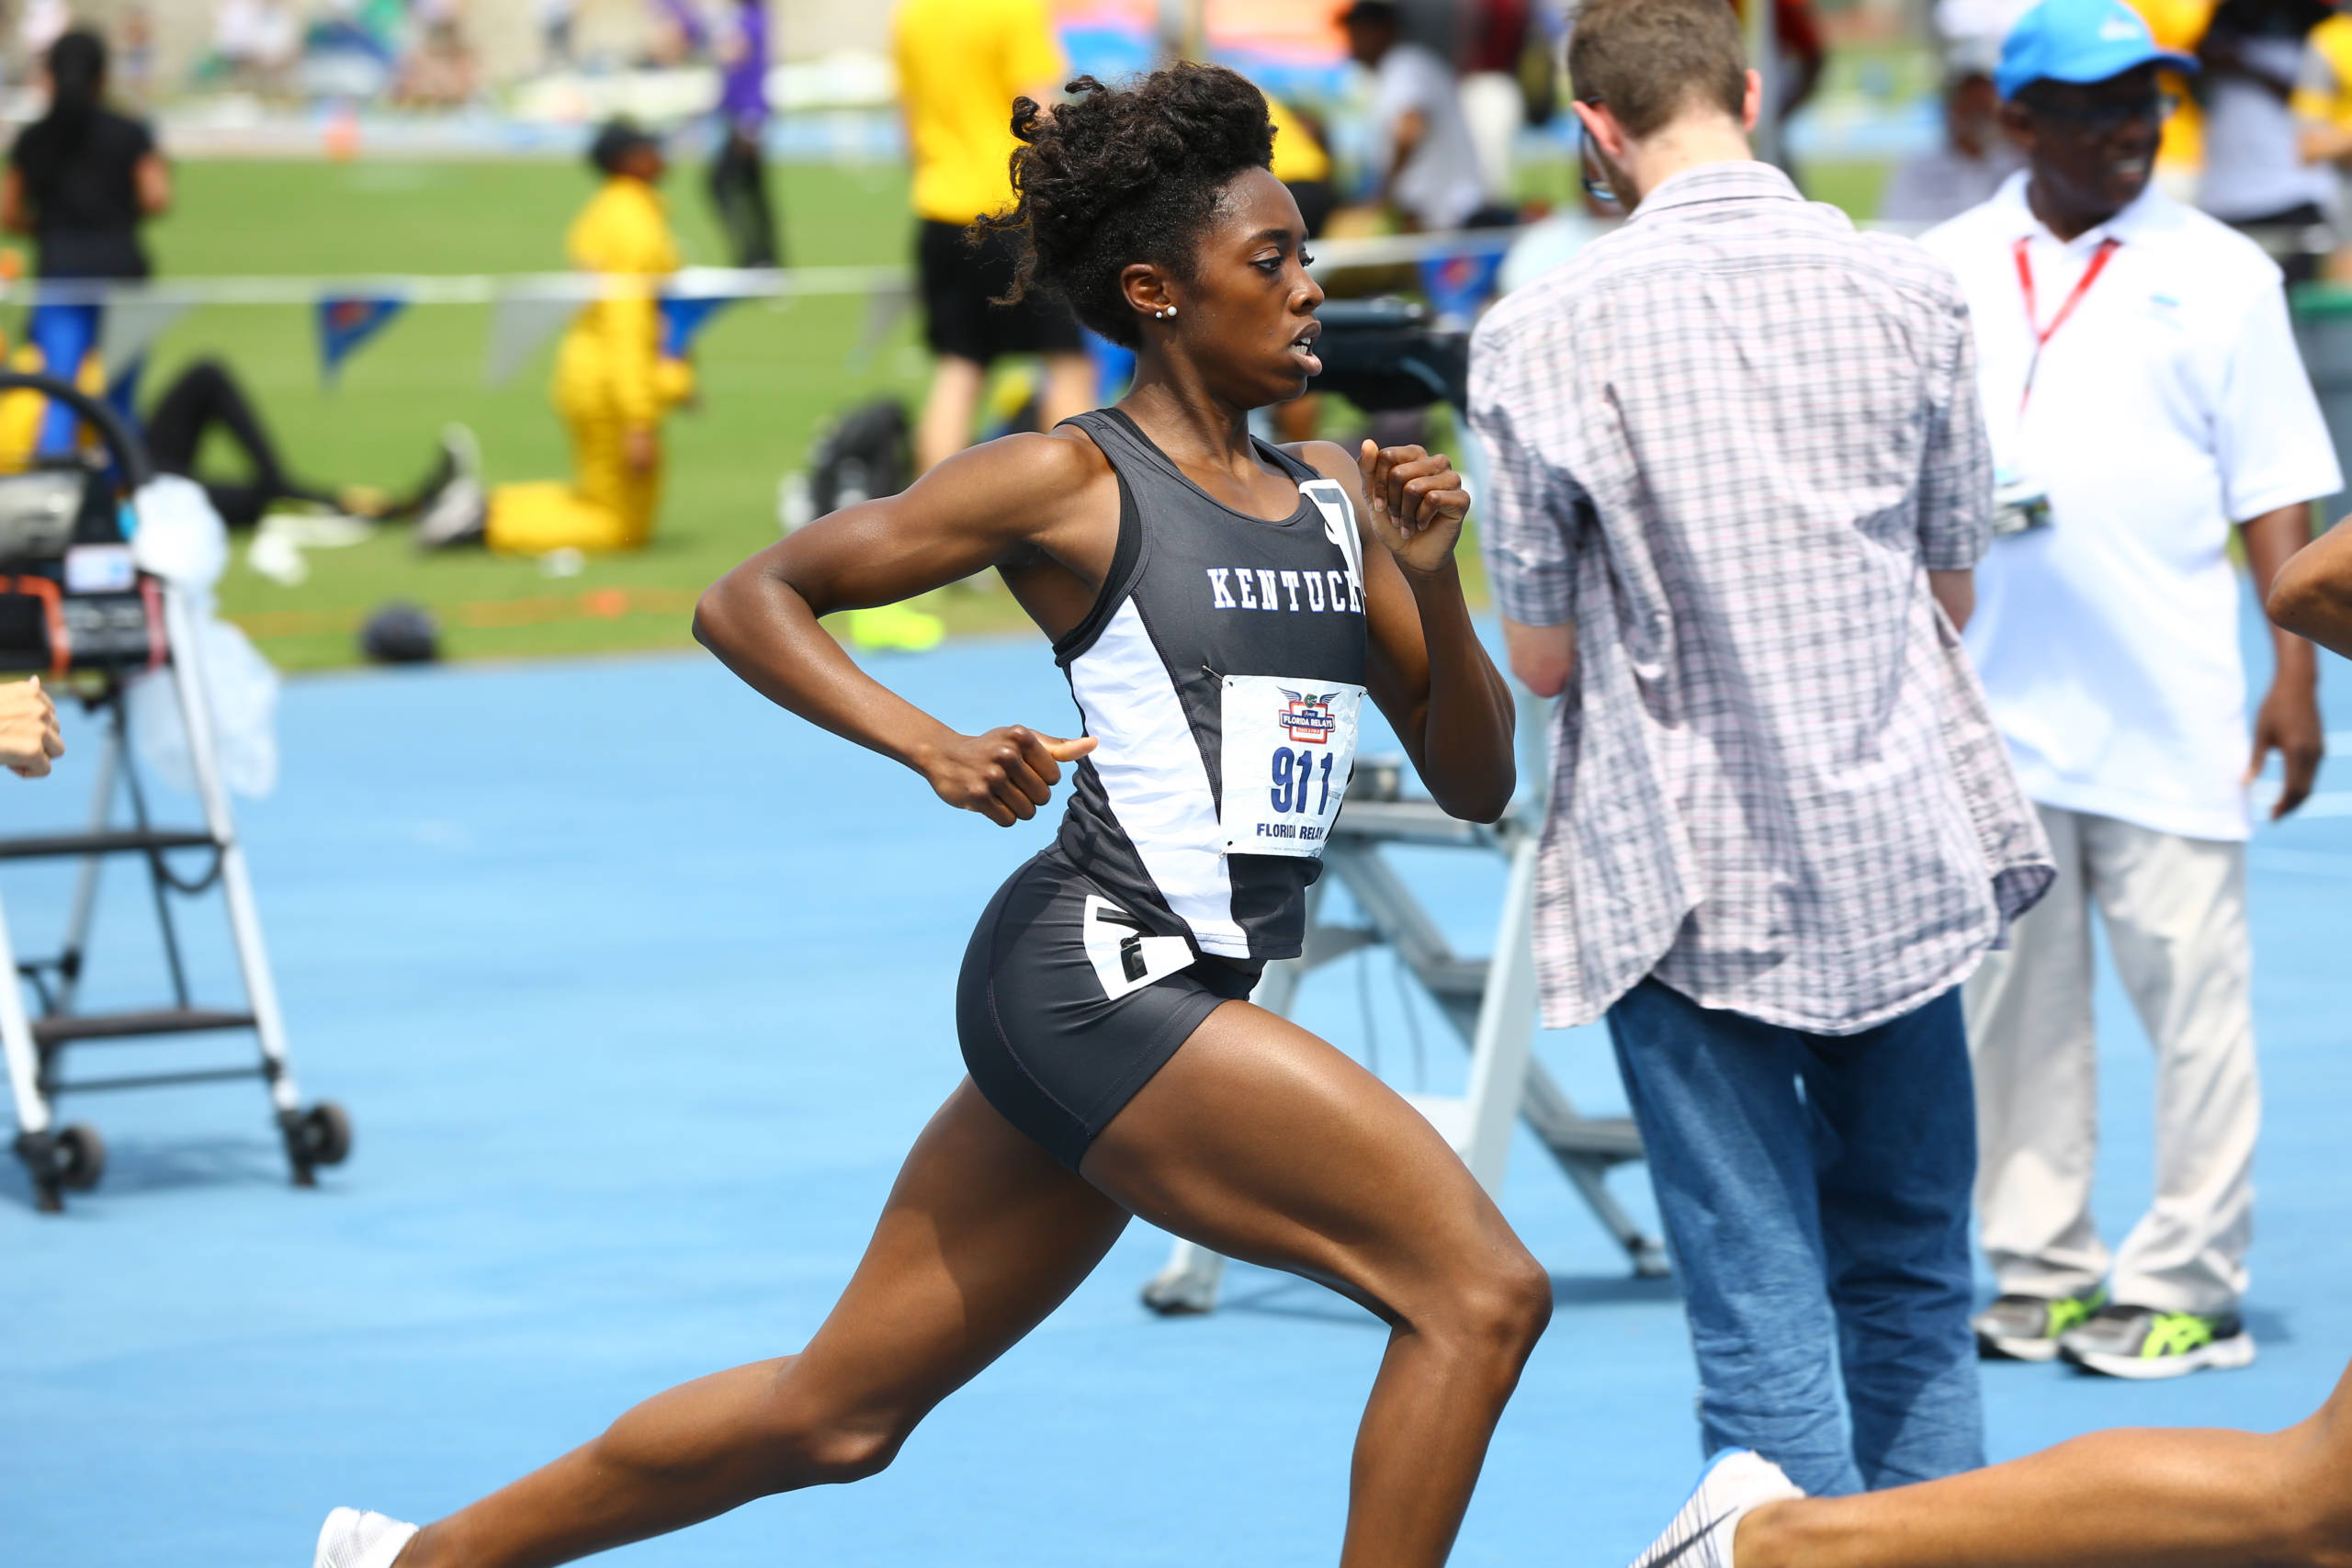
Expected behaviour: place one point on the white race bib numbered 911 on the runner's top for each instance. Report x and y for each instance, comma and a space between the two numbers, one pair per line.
1288, 758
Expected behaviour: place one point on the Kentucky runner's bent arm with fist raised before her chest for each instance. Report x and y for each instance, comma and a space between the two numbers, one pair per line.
1429, 671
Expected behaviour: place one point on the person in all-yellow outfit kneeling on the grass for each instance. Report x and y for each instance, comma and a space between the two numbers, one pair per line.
613, 384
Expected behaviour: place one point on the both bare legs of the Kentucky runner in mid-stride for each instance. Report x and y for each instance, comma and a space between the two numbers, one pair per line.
1257, 1139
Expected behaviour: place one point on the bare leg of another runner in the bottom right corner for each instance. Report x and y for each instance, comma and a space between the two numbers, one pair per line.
2134, 1499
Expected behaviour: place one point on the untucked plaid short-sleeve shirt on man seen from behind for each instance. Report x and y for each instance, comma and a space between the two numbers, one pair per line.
1730, 443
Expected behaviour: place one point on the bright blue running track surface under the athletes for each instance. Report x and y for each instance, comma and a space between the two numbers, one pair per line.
639, 991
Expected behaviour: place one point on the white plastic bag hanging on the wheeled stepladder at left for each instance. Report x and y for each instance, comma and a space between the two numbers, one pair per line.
187, 544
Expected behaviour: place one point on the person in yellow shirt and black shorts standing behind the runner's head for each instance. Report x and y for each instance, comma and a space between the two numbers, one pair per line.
961, 67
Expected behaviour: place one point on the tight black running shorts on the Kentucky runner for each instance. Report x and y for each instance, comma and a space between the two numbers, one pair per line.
1067, 1005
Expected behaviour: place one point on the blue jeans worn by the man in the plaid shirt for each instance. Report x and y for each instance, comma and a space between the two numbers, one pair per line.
1815, 1193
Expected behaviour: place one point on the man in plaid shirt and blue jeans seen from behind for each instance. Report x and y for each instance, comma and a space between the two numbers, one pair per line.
1739, 490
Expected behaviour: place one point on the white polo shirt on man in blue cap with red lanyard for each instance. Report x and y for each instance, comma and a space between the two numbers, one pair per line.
2167, 408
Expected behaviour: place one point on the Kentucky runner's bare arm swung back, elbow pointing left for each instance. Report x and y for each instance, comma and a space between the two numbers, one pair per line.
1045, 507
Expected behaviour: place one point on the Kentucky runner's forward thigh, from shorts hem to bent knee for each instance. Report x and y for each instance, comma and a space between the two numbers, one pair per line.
1271, 1146
